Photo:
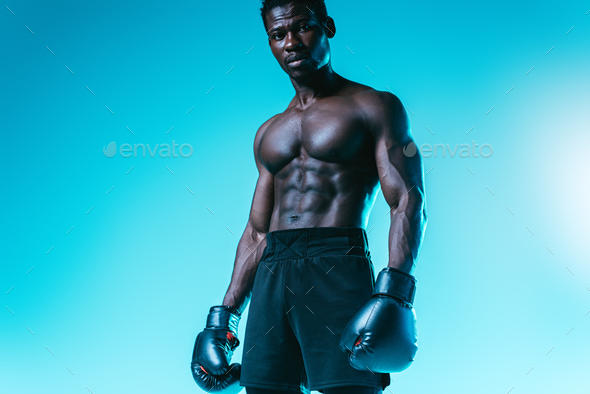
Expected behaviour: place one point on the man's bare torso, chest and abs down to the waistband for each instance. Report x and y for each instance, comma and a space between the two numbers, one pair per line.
323, 162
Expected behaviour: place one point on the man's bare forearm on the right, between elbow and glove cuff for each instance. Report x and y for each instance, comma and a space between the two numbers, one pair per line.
406, 232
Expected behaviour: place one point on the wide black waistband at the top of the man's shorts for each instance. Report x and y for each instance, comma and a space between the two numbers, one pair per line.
315, 241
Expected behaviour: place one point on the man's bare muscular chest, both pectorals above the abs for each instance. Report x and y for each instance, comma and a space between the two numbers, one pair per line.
329, 133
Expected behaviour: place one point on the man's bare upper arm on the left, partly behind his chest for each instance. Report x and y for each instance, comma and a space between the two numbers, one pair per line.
263, 200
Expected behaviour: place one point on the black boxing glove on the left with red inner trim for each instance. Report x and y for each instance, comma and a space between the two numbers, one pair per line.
213, 350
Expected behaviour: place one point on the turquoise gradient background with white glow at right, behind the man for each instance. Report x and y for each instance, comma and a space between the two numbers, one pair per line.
121, 297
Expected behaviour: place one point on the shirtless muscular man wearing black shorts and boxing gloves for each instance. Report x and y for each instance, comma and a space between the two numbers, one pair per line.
318, 319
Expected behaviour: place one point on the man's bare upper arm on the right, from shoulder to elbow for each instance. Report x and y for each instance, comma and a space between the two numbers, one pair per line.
400, 172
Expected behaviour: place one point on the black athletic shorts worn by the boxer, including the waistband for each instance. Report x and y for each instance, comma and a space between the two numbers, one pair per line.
308, 285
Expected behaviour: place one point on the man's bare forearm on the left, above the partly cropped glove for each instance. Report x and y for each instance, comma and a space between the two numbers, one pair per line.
248, 256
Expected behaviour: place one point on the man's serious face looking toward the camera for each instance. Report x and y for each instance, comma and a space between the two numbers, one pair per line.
298, 41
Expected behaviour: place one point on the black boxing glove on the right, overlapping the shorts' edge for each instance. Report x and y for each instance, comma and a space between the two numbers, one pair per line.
382, 335
